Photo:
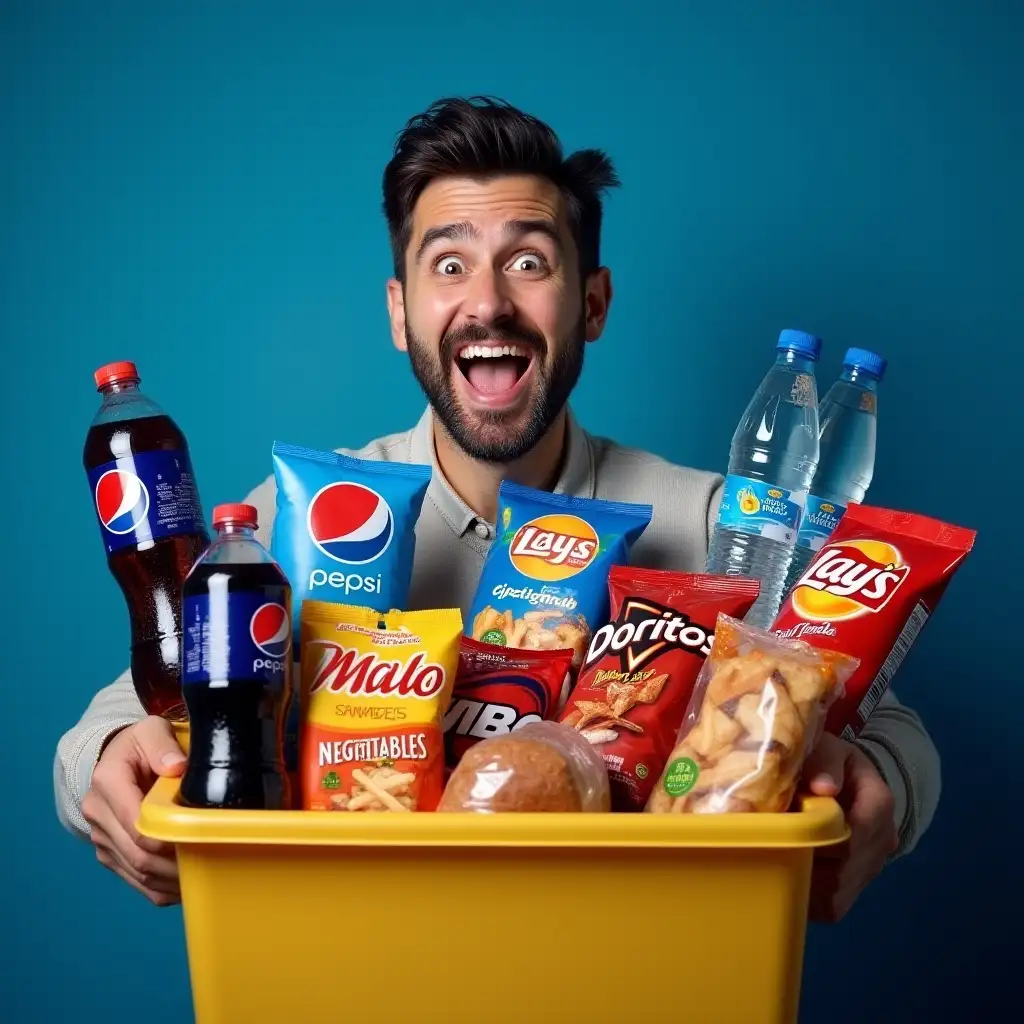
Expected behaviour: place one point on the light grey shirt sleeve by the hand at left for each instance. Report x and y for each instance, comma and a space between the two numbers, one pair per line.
110, 711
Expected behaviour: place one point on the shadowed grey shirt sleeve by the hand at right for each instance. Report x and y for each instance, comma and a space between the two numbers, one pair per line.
897, 742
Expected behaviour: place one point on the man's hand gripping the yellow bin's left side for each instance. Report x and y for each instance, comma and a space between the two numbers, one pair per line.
125, 773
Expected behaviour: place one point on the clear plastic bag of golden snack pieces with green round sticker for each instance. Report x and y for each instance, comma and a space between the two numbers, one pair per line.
758, 710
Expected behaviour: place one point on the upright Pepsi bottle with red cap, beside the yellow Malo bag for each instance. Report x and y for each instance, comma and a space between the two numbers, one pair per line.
237, 669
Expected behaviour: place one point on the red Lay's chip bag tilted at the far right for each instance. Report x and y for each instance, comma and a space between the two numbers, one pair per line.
869, 593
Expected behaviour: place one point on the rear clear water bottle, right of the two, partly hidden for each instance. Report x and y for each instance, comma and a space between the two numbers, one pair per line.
846, 463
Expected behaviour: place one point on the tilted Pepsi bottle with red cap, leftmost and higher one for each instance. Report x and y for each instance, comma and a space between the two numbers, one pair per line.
152, 525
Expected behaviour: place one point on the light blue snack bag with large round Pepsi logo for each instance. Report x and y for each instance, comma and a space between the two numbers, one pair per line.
345, 533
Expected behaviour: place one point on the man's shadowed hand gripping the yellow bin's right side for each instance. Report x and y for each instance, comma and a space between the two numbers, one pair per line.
840, 770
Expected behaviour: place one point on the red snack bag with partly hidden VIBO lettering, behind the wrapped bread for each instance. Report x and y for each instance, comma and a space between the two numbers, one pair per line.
499, 690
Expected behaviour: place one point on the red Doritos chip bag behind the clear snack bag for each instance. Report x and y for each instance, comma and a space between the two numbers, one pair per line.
639, 672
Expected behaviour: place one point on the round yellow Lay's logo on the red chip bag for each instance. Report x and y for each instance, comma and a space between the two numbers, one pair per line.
849, 580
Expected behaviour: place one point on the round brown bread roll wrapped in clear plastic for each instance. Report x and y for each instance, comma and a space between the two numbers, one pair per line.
543, 766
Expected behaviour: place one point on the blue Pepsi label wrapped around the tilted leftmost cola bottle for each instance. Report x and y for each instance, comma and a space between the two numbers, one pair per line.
145, 497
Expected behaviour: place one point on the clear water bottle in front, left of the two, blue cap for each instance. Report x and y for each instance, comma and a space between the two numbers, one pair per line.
772, 463
